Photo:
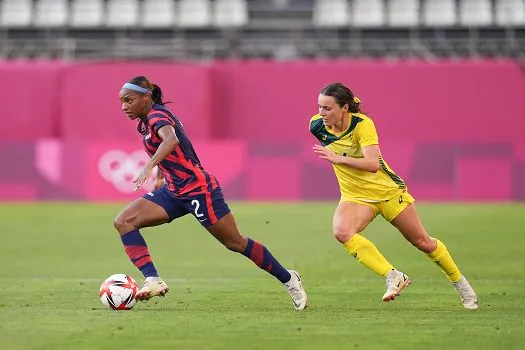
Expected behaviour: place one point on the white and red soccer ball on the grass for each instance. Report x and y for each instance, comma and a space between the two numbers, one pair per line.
118, 292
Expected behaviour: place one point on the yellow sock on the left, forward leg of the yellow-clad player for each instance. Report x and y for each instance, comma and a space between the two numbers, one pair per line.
367, 254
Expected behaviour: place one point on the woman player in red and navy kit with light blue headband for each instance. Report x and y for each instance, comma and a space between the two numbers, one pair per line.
182, 186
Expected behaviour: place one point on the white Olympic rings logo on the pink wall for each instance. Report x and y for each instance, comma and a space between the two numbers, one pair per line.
121, 168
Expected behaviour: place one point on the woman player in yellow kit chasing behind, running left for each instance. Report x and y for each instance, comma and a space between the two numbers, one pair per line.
370, 187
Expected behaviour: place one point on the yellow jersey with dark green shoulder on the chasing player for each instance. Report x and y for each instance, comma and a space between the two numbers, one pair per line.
355, 183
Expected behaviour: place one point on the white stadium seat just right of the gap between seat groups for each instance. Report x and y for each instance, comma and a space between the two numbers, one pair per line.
334, 13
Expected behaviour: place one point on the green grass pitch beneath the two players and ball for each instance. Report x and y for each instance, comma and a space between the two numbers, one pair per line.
53, 257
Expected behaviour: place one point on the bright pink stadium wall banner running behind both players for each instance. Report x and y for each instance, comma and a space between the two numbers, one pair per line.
452, 130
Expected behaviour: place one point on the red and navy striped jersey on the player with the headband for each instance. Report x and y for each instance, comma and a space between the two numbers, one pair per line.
182, 169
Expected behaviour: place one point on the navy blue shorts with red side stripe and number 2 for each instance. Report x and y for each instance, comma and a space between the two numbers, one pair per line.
207, 207
